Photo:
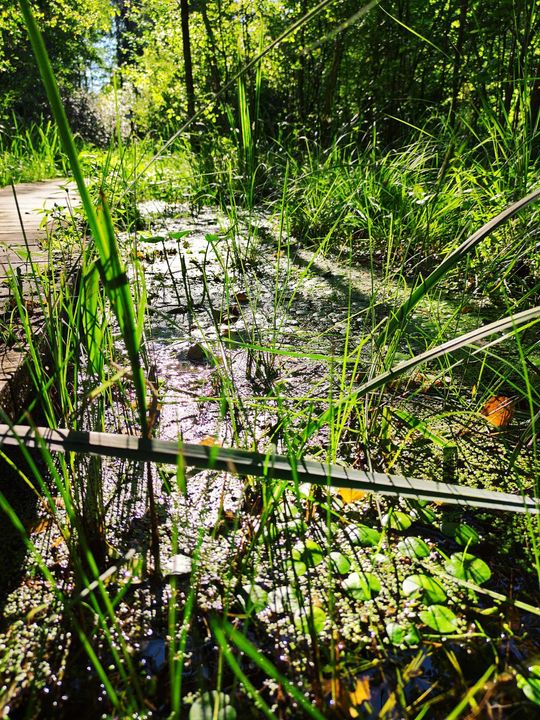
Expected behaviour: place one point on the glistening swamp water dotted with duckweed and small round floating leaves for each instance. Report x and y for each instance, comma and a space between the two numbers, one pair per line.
357, 603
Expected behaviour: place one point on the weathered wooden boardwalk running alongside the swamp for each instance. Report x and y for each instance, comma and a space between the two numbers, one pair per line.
25, 224
